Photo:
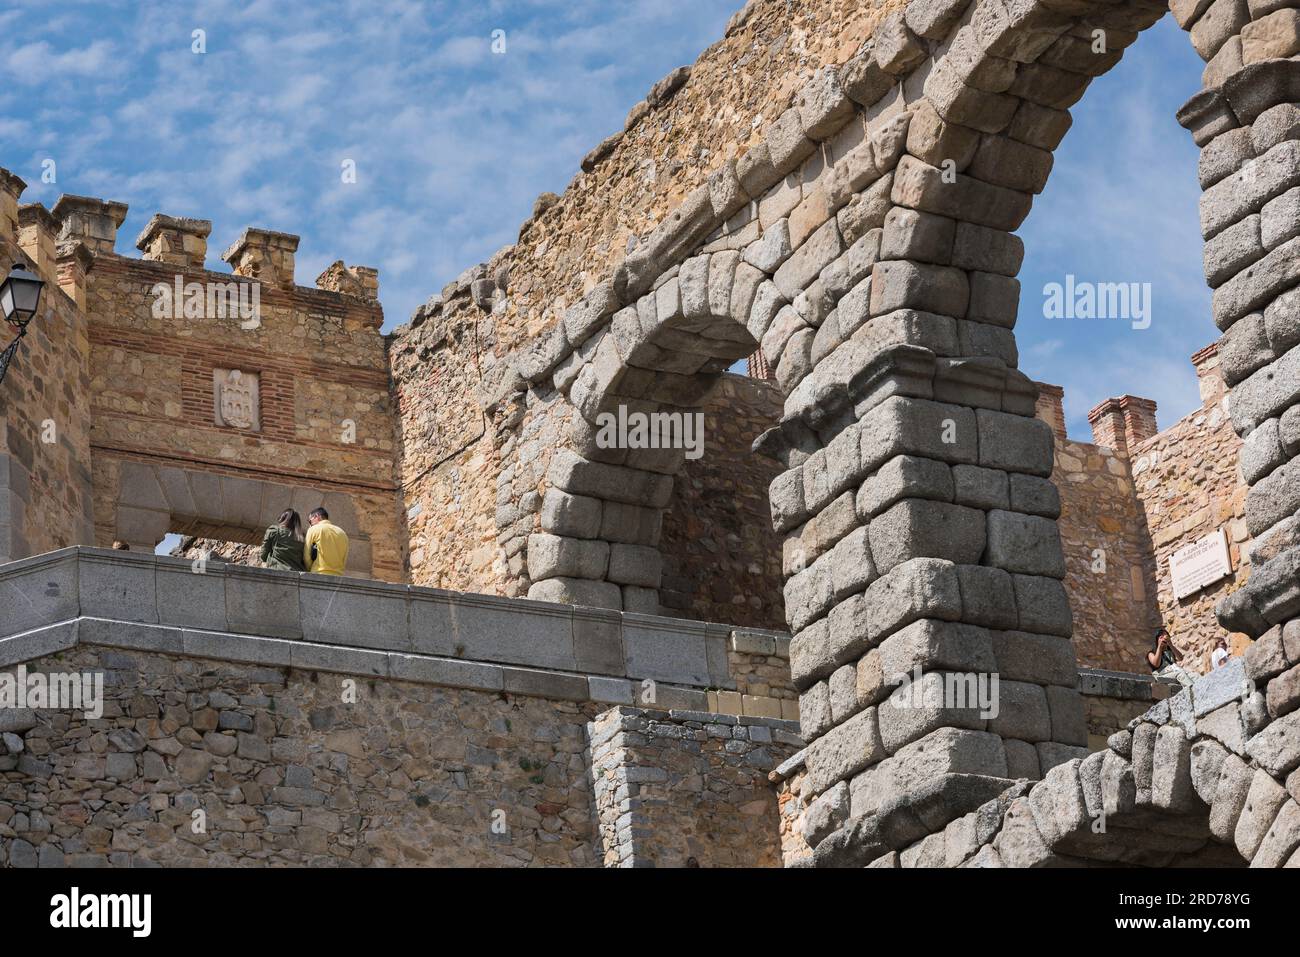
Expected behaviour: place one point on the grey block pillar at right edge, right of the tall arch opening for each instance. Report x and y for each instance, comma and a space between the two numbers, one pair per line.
1251, 202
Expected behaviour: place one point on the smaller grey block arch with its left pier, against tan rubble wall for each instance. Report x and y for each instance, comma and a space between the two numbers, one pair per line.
662, 356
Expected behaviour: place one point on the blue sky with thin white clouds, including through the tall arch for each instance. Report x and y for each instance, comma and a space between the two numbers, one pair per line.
453, 144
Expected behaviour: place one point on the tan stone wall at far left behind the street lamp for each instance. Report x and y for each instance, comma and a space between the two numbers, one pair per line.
46, 497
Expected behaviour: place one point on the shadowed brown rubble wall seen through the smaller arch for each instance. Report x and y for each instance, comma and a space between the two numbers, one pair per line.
722, 558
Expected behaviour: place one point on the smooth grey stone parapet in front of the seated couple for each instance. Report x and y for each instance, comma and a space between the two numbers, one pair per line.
210, 609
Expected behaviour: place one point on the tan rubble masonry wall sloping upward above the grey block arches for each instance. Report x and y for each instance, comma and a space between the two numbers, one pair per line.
456, 344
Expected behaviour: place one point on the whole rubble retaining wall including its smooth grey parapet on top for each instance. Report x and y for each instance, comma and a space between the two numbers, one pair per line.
365, 724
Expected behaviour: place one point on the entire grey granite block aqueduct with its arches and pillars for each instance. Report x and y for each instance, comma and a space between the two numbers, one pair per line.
866, 245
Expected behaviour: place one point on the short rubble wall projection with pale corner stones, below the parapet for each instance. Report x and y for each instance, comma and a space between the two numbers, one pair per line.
688, 789
